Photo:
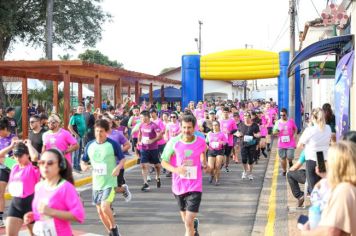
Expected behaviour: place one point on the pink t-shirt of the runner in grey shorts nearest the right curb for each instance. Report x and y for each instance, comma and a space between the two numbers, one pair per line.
286, 133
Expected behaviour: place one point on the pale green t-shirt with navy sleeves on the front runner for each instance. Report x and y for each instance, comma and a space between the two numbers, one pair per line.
103, 157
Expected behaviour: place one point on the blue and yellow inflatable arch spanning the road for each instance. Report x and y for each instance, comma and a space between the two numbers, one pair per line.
244, 64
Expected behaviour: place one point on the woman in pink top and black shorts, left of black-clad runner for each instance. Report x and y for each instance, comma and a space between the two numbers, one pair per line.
216, 141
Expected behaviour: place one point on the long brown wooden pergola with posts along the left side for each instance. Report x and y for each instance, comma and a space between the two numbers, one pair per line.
80, 72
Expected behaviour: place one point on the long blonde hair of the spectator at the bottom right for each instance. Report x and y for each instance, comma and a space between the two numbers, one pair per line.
342, 163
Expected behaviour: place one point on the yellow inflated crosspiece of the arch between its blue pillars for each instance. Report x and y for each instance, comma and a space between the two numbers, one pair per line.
243, 64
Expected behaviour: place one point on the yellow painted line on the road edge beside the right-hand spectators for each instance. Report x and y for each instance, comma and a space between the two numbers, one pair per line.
271, 215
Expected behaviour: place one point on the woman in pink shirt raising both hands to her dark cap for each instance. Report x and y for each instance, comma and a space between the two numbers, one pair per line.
23, 178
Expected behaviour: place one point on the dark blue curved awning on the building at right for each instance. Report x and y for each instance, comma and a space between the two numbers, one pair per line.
326, 46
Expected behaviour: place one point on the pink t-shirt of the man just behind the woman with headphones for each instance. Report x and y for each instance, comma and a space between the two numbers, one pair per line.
61, 140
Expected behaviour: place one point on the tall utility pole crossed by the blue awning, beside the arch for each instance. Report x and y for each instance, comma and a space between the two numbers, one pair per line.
291, 99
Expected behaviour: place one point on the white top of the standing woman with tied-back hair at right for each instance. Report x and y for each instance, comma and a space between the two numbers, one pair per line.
315, 140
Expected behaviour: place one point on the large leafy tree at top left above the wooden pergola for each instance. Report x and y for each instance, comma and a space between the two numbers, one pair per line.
73, 22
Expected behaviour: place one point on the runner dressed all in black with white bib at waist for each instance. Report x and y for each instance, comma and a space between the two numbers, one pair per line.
248, 132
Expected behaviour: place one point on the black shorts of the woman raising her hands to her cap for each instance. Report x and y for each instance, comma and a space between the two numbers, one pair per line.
20, 206
